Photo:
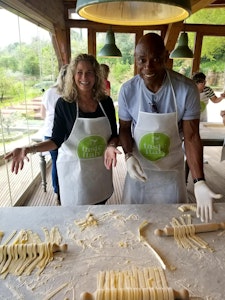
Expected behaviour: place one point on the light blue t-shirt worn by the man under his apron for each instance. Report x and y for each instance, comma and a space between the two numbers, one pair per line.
186, 93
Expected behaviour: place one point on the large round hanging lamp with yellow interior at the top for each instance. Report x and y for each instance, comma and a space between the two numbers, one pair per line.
134, 12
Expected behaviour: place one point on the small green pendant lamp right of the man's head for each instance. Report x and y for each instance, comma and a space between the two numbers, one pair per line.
182, 50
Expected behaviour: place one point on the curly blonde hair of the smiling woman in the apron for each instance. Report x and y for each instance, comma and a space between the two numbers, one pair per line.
70, 91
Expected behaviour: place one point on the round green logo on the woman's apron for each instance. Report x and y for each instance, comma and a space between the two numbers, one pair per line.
91, 147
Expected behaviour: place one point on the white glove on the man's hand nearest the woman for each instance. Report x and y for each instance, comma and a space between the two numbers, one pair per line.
135, 170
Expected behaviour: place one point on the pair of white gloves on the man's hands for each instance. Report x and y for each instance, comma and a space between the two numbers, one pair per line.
204, 196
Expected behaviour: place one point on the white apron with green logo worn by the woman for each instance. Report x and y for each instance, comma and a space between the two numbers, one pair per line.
83, 178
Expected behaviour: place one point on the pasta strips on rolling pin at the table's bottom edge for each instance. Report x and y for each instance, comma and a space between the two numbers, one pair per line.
135, 284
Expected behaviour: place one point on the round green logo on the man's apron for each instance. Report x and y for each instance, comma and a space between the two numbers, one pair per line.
154, 146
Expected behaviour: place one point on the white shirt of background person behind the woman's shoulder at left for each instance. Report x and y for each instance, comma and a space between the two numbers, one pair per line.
49, 100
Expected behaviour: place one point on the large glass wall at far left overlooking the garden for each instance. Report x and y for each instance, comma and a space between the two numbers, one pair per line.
27, 66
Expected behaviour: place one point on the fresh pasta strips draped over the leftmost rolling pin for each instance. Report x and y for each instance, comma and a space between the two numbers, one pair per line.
28, 252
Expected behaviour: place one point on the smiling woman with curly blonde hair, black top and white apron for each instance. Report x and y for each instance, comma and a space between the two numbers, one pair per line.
85, 132
